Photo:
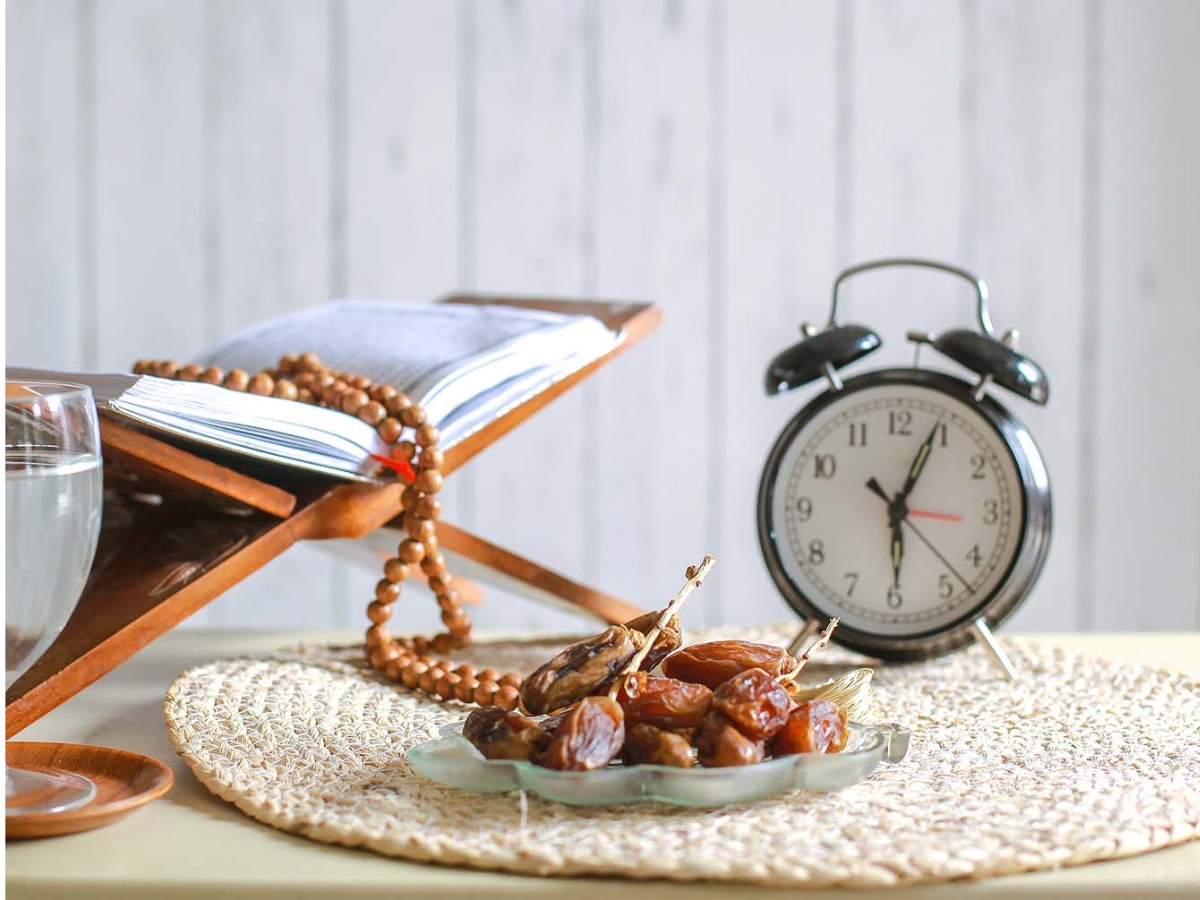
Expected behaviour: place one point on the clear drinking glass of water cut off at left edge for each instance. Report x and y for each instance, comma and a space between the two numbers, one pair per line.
53, 494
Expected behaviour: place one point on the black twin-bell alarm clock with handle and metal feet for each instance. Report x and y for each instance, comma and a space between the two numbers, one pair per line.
907, 502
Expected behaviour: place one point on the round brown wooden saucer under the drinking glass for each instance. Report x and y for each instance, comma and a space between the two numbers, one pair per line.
124, 781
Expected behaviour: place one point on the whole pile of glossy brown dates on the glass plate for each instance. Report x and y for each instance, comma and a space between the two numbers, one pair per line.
715, 705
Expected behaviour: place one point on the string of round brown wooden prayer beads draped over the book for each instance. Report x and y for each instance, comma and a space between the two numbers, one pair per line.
406, 661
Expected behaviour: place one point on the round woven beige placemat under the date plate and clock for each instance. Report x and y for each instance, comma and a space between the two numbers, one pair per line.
1082, 760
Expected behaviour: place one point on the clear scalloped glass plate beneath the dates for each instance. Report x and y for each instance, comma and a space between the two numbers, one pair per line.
452, 760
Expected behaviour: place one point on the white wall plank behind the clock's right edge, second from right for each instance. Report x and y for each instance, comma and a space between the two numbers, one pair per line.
1027, 88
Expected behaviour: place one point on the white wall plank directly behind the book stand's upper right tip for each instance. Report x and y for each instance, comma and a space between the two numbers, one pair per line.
653, 429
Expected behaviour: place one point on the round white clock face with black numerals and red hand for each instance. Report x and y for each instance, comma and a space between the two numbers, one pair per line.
897, 508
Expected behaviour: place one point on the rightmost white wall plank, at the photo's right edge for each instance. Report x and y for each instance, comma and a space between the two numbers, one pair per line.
1147, 466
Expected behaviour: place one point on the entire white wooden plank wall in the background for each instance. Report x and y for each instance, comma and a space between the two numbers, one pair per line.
178, 171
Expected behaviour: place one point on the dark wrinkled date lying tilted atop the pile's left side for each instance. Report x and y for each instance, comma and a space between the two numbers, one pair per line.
580, 670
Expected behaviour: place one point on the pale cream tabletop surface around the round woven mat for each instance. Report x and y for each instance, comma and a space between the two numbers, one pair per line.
193, 845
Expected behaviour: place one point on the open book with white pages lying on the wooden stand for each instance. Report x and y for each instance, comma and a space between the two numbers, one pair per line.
466, 365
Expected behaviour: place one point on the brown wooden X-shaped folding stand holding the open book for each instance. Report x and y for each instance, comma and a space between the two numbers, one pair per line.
181, 530
